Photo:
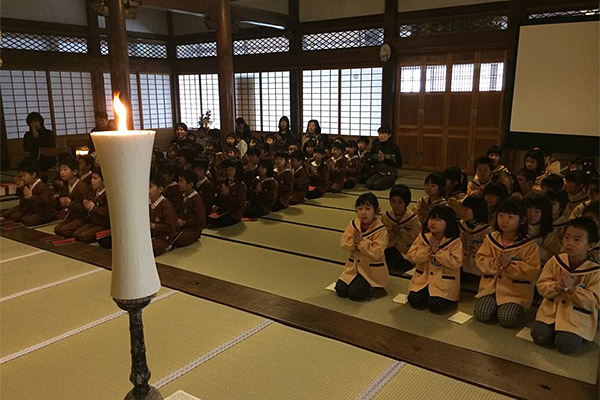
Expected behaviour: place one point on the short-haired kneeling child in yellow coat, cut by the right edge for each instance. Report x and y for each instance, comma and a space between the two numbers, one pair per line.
570, 285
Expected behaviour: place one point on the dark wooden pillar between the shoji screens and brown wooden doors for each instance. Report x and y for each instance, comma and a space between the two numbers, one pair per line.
390, 31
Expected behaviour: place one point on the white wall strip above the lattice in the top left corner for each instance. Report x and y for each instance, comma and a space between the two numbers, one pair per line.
57, 11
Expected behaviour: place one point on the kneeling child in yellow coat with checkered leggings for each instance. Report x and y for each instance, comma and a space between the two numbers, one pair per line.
509, 262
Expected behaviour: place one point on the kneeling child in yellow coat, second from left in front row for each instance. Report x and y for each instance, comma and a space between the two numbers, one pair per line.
437, 254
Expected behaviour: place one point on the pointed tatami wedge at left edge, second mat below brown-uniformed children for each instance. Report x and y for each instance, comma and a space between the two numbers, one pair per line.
37, 270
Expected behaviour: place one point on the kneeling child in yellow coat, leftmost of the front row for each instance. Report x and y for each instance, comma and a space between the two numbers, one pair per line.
366, 239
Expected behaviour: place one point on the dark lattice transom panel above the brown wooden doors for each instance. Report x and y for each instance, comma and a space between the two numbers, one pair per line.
458, 24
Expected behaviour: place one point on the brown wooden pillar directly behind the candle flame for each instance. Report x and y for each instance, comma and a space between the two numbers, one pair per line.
118, 57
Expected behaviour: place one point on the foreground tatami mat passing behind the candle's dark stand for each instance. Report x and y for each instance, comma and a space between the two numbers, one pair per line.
95, 364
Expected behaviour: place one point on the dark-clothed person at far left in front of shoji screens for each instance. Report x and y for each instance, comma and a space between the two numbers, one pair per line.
37, 138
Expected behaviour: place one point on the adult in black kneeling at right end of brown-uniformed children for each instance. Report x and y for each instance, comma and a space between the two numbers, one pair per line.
385, 160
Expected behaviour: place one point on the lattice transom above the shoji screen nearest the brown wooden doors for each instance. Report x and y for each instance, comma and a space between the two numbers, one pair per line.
343, 40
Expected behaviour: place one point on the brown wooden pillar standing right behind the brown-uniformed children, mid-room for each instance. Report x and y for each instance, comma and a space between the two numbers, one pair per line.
225, 63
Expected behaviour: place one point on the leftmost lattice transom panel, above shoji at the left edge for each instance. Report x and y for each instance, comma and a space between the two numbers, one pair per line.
28, 41
